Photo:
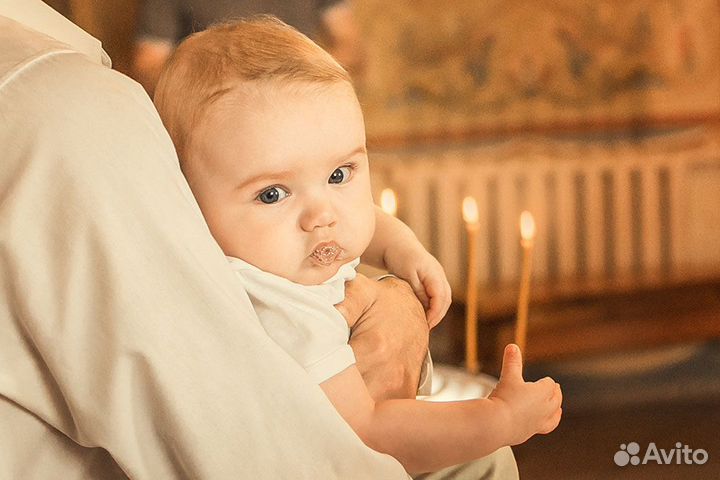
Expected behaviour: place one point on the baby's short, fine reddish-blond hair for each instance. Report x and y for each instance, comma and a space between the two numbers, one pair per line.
209, 64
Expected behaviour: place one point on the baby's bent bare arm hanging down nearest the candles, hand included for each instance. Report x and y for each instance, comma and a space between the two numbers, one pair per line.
396, 248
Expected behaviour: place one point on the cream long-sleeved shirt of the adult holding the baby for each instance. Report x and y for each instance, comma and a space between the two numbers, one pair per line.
128, 348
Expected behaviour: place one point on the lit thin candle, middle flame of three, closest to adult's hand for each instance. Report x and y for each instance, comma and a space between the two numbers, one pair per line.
470, 216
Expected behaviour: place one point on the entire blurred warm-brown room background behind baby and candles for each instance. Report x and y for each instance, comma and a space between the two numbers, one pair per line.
601, 118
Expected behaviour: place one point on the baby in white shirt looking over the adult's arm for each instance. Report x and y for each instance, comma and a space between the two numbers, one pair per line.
271, 138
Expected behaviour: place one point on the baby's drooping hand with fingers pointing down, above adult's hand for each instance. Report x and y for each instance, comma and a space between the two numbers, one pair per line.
411, 262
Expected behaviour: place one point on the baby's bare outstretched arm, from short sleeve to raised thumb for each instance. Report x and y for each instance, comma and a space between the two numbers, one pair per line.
427, 436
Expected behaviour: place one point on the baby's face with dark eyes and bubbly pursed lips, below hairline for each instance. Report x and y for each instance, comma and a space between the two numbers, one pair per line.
282, 179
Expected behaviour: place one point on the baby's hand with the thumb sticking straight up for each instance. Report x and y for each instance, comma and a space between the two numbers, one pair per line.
532, 407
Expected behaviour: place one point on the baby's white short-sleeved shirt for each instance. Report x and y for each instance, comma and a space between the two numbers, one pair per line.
302, 318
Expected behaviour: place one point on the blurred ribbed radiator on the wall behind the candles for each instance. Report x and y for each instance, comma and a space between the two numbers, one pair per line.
603, 211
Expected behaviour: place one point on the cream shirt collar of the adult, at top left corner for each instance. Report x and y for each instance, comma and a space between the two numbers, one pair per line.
41, 17
